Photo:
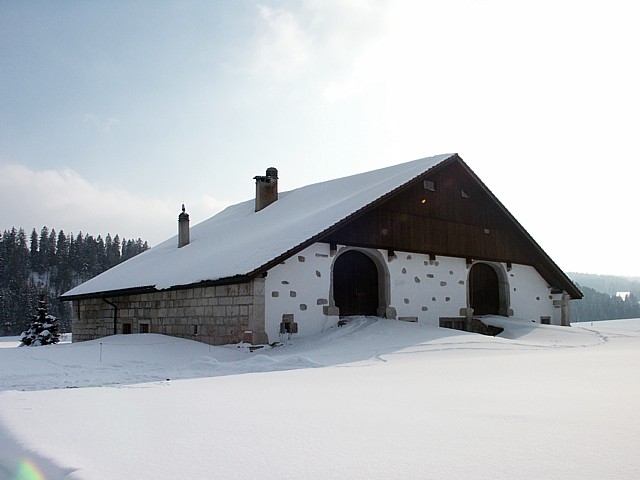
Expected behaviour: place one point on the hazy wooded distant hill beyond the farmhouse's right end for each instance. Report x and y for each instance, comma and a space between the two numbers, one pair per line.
600, 301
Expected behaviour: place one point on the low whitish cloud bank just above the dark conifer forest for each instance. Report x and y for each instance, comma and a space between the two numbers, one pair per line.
63, 199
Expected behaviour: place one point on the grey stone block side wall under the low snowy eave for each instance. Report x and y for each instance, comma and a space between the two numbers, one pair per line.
216, 315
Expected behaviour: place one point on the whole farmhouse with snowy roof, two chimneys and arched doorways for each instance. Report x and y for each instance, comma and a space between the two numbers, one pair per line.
423, 241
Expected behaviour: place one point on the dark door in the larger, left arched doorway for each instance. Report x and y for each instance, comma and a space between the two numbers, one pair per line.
355, 284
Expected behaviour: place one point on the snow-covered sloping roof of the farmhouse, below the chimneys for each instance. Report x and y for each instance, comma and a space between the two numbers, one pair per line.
238, 240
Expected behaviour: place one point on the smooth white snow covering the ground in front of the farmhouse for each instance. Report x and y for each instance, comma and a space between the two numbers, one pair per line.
373, 399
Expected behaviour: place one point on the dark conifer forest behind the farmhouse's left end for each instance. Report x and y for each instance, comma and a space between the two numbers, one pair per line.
49, 263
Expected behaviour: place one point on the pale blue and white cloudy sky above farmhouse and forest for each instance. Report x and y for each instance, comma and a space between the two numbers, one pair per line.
113, 114
